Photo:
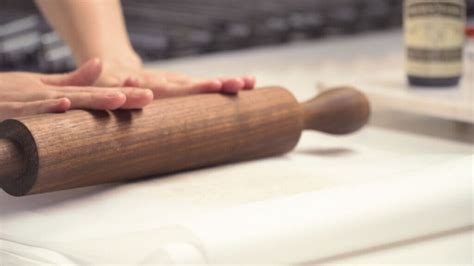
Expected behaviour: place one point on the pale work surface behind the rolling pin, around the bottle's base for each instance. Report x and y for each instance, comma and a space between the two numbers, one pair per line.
374, 64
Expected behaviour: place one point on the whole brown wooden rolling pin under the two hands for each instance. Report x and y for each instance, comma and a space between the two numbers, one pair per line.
79, 148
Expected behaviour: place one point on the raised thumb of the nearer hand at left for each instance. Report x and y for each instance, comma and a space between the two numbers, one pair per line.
86, 75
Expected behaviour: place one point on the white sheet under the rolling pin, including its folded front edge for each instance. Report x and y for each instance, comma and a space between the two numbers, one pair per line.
105, 225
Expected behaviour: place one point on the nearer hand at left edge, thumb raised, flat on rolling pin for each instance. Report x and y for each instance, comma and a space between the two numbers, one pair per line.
23, 93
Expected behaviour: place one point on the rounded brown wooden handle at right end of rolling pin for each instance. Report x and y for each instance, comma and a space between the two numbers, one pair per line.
337, 111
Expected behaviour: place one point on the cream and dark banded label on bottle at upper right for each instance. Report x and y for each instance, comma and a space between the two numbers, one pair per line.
434, 37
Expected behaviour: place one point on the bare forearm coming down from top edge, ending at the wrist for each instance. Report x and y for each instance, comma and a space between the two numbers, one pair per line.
92, 28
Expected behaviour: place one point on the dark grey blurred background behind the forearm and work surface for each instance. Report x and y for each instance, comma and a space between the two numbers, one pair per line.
161, 29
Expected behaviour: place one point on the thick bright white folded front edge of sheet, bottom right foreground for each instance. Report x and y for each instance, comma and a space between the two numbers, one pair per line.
318, 225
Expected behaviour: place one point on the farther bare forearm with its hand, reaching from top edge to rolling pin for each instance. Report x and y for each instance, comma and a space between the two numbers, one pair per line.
96, 29
